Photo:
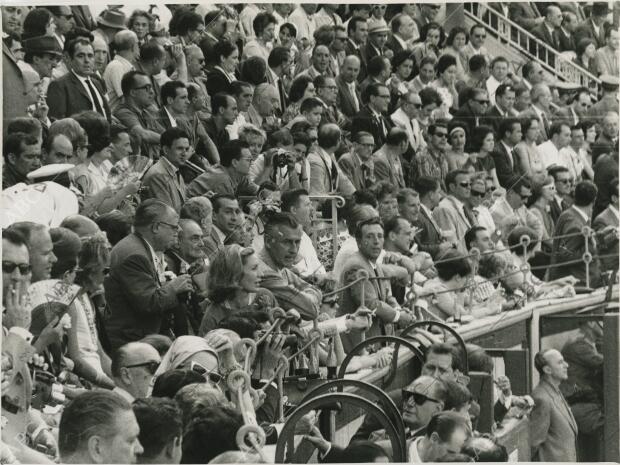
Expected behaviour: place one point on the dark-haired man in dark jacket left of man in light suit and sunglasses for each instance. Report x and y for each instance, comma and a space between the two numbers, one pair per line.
429, 237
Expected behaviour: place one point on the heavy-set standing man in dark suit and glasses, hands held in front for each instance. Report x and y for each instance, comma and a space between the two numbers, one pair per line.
138, 297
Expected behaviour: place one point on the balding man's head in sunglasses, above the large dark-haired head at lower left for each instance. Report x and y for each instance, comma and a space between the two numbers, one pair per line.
133, 367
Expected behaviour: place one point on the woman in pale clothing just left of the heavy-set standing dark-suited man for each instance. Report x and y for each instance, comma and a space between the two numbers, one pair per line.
87, 341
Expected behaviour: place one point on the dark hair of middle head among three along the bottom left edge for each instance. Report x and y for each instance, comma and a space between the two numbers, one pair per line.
159, 420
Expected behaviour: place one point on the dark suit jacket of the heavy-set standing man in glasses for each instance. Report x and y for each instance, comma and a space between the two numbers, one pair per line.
137, 302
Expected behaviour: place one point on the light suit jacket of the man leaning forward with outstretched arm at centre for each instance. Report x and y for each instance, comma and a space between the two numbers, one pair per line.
376, 293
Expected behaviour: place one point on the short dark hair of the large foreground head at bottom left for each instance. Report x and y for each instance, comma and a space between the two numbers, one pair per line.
88, 414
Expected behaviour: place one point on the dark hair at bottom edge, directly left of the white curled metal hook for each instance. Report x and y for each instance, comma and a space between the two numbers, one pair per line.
216, 426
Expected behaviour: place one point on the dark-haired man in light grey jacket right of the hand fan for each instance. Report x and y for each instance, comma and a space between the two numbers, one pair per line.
163, 179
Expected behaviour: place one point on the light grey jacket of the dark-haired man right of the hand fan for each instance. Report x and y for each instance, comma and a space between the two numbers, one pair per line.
165, 185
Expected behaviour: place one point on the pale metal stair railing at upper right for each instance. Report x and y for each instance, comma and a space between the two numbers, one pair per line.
549, 58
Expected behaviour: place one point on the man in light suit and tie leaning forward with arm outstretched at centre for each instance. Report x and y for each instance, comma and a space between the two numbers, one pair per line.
377, 294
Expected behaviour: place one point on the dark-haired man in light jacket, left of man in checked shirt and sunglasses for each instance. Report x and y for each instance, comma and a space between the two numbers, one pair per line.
387, 159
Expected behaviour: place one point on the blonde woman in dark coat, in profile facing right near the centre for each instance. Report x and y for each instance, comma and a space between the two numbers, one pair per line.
234, 284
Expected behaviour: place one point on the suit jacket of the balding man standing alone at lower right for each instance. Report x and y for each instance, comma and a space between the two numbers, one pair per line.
553, 429
